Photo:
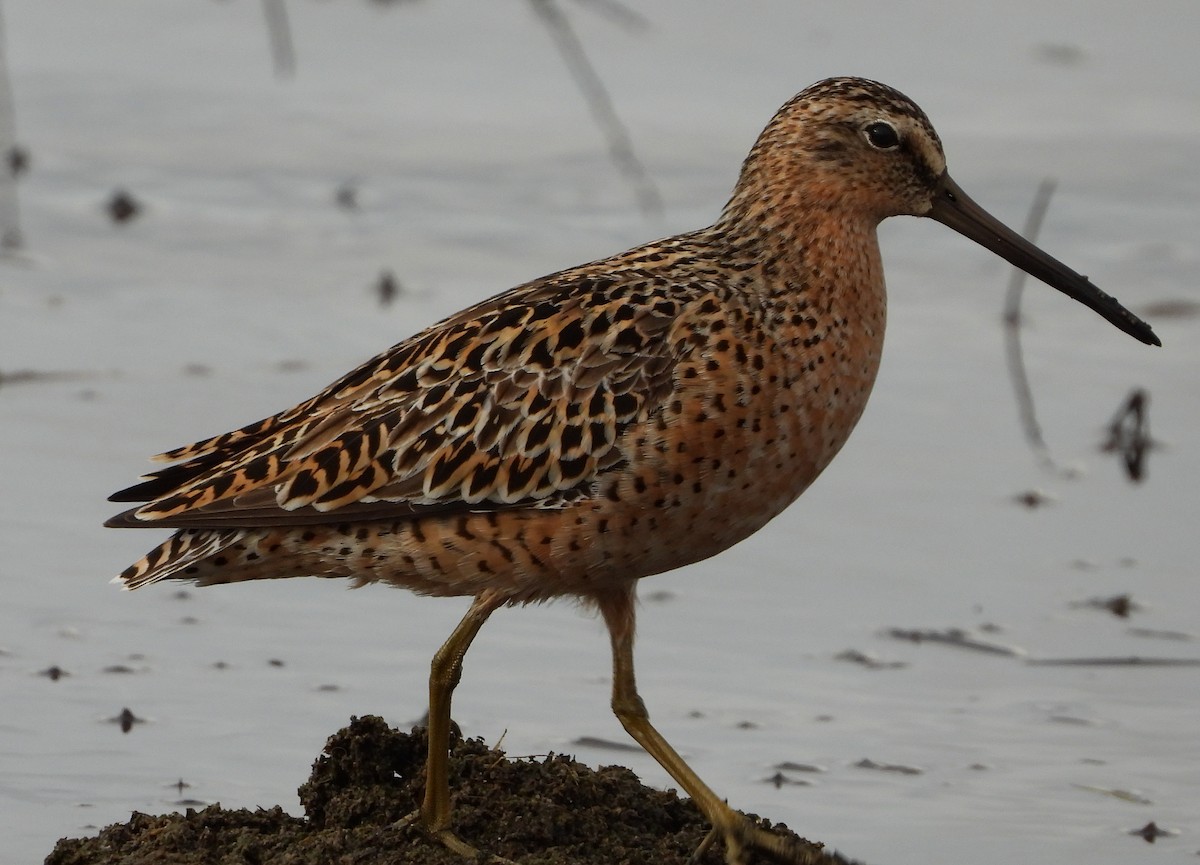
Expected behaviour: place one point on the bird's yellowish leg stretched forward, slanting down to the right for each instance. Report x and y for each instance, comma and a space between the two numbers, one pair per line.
740, 834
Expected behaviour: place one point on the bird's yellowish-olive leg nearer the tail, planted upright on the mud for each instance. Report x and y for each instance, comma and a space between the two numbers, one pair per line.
446, 671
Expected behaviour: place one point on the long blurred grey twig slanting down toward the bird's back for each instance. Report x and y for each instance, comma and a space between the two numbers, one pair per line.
621, 148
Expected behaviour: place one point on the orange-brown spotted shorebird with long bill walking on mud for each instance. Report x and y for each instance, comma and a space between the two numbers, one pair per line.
599, 425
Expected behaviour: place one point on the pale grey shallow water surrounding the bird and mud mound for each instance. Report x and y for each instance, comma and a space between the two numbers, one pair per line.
243, 289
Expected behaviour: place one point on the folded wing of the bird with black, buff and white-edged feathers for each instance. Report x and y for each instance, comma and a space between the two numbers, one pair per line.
520, 400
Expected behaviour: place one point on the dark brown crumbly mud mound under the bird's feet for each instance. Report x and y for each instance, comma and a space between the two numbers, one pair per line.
537, 812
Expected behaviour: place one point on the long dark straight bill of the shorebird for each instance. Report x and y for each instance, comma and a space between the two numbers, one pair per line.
955, 208
